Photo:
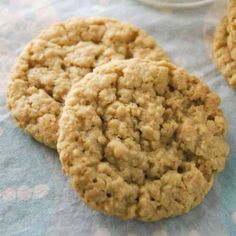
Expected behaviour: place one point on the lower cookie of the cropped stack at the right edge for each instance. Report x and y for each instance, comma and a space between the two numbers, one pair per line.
222, 54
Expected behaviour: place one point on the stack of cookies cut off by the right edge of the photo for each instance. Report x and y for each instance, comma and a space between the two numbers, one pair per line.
224, 45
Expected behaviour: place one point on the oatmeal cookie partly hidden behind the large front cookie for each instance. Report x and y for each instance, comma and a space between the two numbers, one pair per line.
62, 55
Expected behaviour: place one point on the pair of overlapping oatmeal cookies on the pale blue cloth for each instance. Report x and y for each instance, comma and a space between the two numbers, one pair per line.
138, 136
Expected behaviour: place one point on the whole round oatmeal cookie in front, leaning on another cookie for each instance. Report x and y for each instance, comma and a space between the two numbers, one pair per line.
142, 139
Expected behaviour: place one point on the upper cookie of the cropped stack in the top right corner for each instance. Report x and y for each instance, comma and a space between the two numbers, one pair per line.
231, 28
